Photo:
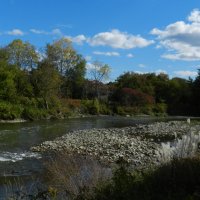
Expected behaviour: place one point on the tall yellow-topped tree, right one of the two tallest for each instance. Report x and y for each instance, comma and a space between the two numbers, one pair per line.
70, 65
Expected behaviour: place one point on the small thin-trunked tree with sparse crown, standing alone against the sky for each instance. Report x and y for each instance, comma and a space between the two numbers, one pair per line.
99, 73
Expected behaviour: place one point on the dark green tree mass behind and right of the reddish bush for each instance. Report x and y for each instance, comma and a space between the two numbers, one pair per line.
177, 93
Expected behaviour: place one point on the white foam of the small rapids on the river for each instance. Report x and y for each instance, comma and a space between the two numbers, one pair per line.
14, 157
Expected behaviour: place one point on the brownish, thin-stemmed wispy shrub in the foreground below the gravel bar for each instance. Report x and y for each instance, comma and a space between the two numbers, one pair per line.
75, 174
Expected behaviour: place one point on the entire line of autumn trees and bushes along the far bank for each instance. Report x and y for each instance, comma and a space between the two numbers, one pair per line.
53, 83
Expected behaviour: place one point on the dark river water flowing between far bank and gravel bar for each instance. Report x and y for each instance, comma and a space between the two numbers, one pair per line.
16, 160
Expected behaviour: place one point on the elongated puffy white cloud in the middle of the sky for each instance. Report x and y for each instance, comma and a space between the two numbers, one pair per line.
118, 40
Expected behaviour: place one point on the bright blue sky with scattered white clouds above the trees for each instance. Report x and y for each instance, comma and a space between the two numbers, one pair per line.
129, 35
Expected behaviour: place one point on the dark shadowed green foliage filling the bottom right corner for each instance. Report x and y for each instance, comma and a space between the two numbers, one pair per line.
178, 180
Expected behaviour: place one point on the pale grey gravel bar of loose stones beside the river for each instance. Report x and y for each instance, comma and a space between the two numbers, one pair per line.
138, 144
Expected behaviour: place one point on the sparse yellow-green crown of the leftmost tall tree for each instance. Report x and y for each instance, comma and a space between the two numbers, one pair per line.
22, 54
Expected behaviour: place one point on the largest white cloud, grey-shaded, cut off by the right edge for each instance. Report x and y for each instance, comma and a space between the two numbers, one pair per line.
181, 39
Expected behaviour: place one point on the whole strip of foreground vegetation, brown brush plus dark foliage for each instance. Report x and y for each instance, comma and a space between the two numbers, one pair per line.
71, 178
